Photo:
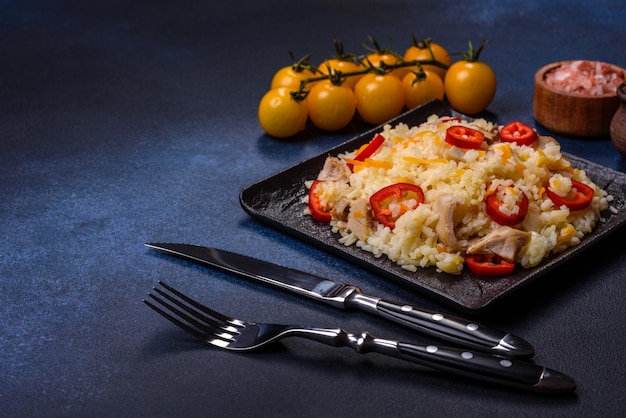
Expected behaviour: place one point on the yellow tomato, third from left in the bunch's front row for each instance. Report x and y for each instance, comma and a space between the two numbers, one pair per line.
379, 97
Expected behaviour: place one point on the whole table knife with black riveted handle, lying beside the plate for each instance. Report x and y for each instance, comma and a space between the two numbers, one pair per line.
344, 296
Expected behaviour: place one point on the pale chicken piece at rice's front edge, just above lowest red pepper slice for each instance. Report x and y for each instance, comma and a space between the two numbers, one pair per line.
504, 241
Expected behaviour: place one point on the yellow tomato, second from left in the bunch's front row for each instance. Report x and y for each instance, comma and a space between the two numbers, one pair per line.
331, 107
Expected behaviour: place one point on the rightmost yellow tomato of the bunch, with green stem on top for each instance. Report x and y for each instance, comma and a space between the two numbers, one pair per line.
470, 85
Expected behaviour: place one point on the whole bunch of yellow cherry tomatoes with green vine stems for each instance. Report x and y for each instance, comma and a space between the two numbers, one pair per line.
378, 86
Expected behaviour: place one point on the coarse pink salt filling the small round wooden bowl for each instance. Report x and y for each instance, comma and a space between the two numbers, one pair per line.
585, 77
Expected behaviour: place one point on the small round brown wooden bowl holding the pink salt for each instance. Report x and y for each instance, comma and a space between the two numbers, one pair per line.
573, 114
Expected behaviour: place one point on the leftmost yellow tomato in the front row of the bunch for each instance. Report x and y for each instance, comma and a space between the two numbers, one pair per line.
280, 115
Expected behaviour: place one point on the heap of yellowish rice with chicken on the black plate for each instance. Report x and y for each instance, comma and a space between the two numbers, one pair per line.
455, 184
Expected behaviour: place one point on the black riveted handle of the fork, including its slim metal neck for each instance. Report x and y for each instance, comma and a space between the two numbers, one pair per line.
512, 372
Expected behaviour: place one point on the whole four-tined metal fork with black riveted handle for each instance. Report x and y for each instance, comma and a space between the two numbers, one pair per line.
221, 331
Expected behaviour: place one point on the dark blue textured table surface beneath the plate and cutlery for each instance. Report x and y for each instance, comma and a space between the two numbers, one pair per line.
123, 122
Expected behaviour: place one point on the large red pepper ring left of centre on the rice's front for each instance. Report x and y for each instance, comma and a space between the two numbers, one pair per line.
400, 194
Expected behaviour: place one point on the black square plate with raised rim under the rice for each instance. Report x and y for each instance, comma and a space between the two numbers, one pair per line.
277, 201
